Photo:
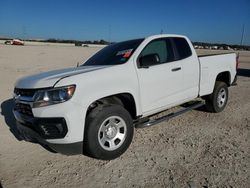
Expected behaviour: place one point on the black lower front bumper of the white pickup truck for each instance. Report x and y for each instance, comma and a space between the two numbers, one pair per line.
39, 130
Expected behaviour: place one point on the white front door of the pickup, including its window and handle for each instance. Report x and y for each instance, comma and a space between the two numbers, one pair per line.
160, 84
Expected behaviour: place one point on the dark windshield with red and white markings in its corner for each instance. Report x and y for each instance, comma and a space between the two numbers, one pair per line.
114, 54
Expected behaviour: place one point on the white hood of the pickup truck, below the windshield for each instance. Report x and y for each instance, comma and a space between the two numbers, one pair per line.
49, 79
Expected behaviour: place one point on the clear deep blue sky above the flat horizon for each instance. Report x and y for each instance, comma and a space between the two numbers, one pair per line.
215, 21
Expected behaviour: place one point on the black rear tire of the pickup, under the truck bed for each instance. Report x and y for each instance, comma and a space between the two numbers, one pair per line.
213, 103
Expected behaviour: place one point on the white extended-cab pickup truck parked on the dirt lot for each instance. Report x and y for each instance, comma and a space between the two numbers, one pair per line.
93, 108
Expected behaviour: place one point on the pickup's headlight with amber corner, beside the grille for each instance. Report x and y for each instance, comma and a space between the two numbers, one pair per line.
53, 96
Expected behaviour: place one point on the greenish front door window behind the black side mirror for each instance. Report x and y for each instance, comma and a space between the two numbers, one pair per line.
160, 47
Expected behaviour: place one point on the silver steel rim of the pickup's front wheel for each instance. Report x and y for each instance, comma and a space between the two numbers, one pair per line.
112, 133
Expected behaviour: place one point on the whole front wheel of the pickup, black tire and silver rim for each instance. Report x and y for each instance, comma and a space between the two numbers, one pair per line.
109, 132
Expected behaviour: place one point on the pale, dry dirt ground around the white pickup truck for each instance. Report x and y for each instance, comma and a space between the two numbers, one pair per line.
197, 149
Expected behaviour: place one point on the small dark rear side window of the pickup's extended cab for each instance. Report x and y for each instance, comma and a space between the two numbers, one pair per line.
182, 48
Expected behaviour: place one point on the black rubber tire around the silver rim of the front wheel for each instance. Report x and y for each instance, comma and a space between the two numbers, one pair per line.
93, 147
